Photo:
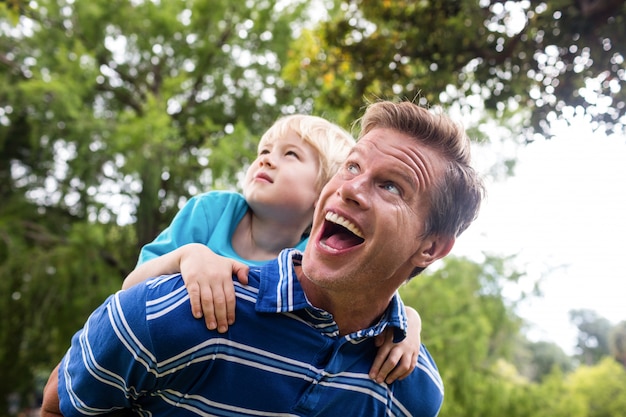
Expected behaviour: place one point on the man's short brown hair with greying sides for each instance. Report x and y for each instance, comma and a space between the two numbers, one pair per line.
455, 199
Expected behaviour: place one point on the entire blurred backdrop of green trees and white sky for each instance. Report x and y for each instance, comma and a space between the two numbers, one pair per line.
113, 113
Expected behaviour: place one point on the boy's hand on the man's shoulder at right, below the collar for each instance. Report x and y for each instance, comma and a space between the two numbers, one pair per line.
396, 361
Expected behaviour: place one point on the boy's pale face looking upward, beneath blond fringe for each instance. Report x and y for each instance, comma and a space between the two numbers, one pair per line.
283, 178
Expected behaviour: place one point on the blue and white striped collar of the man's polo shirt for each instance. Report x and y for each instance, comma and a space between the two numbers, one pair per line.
280, 291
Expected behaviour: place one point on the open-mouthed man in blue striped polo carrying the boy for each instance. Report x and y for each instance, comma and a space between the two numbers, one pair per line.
304, 337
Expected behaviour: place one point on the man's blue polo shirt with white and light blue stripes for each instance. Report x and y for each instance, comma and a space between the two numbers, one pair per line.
142, 349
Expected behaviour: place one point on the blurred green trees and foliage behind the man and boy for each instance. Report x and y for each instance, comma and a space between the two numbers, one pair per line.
112, 113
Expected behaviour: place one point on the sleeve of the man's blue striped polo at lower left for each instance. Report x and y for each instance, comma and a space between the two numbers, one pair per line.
110, 361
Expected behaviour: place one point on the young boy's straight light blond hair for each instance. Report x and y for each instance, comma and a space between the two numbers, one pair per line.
331, 142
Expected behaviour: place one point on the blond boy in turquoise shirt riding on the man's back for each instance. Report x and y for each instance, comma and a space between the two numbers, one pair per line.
230, 231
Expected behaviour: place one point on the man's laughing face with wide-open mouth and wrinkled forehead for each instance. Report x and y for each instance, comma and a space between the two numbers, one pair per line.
368, 224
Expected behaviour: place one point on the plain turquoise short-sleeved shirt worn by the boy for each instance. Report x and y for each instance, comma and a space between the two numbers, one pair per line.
211, 219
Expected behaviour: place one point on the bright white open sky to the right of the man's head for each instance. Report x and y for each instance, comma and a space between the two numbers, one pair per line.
564, 214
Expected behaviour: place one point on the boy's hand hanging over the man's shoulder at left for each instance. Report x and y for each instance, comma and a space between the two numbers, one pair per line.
209, 281
